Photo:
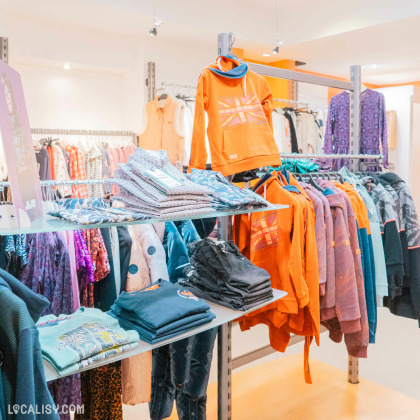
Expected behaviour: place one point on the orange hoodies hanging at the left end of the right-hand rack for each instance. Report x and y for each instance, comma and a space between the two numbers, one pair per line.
283, 242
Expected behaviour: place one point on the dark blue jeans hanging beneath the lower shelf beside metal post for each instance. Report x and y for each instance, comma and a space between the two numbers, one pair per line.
181, 372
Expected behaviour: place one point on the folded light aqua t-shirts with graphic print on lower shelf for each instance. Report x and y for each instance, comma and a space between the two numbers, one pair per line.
72, 342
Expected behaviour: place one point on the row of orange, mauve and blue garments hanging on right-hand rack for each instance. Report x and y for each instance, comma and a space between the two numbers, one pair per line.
358, 236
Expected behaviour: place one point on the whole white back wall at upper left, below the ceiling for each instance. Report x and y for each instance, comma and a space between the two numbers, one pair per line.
105, 88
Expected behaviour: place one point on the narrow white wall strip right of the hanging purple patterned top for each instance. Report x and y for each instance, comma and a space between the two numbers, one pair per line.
400, 99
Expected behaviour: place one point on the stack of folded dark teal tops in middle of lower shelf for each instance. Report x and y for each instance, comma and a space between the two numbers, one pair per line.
160, 311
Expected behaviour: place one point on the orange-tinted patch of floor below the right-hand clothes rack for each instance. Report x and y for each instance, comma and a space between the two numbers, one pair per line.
275, 391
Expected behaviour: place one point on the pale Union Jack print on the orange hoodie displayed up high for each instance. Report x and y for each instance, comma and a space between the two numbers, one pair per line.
237, 110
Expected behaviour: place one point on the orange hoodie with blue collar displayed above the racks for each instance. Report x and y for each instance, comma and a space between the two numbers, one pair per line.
239, 105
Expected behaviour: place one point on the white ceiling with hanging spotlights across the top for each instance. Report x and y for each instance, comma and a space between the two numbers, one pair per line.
328, 35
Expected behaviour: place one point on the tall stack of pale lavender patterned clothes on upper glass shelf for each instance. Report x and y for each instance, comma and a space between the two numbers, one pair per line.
151, 185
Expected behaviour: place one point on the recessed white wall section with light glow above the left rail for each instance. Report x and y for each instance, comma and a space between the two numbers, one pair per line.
72, 99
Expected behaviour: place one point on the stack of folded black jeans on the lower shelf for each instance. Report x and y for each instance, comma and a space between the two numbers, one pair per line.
221, 274
